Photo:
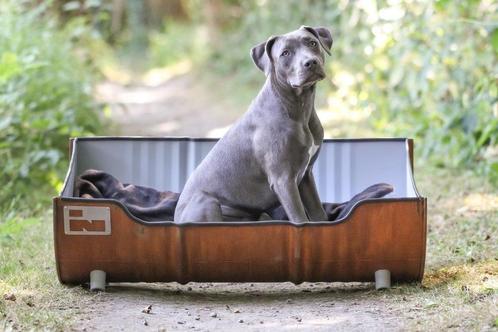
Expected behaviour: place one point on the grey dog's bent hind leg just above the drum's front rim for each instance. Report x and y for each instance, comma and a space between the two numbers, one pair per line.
201, 207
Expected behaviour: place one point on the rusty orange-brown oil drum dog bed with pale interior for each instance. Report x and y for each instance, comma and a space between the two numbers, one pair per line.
377, 234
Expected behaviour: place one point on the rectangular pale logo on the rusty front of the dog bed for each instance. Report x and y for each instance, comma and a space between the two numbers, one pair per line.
87, 220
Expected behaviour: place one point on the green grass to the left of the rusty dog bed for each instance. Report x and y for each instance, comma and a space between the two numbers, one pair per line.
30, 294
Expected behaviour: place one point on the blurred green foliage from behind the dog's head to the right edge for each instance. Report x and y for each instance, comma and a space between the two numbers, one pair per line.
425, 69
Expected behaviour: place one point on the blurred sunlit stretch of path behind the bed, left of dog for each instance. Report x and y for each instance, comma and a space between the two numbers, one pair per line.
181, 106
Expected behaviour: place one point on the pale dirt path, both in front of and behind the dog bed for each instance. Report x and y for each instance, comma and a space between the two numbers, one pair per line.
181, 106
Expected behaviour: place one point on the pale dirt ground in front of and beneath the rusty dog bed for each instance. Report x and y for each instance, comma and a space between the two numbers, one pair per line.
229, 307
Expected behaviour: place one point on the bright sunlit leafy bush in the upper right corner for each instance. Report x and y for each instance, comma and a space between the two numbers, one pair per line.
433, 75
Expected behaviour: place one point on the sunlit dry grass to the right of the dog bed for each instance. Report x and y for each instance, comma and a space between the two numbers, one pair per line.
460, 286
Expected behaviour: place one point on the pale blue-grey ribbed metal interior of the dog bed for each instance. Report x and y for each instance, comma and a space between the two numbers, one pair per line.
343, 168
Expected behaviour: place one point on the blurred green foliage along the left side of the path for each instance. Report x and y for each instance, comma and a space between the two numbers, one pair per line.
45, 98
